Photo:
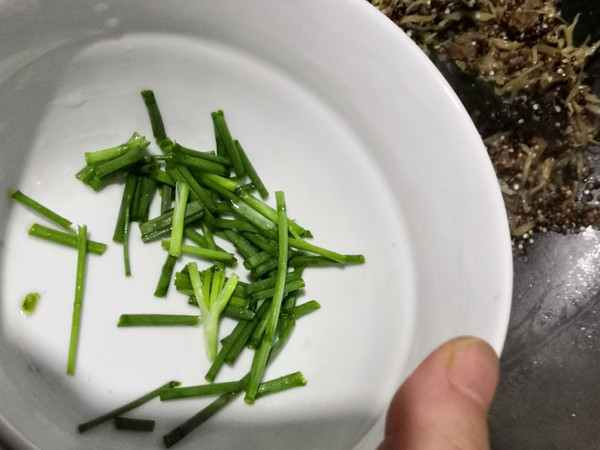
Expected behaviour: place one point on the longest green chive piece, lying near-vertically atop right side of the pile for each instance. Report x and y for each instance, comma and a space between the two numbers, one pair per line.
262, 353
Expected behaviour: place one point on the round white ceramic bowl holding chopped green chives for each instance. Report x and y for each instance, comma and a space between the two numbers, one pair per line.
338, 109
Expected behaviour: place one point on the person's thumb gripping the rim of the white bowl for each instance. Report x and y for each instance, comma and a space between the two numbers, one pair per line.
444, 403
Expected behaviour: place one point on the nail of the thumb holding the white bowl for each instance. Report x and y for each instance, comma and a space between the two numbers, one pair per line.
473, 368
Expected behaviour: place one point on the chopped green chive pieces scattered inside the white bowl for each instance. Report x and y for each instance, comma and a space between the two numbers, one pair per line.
207, 202
